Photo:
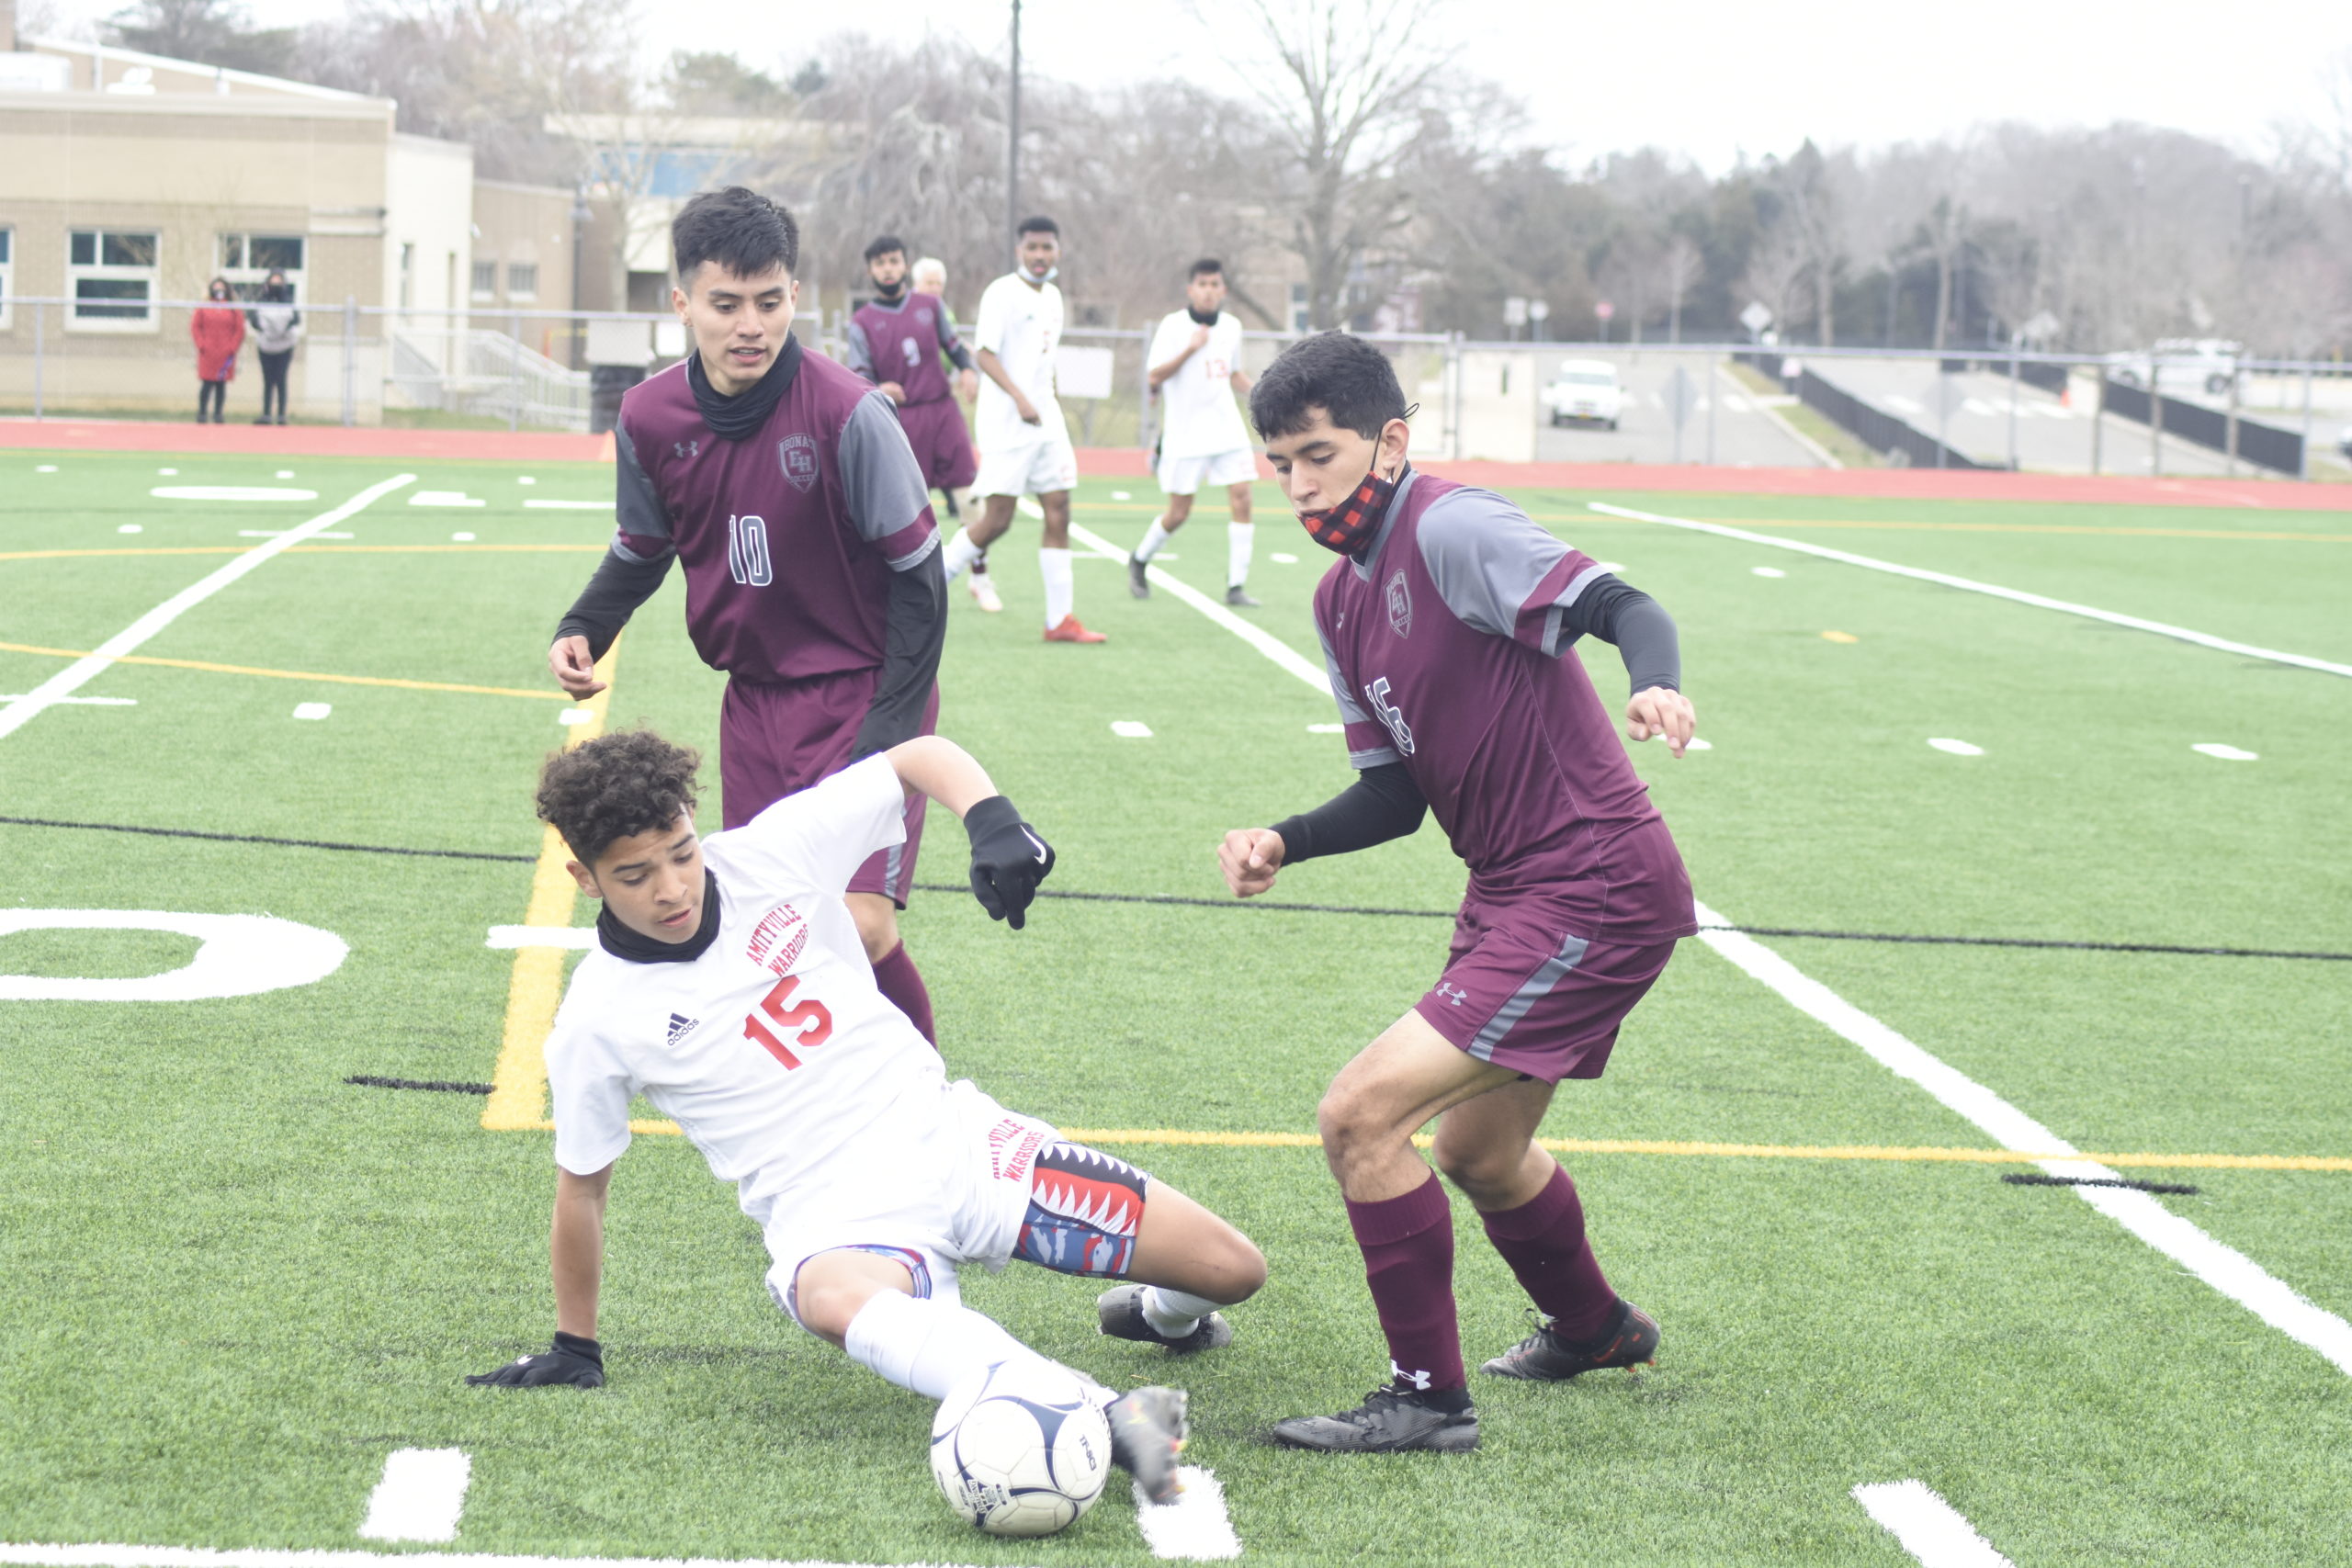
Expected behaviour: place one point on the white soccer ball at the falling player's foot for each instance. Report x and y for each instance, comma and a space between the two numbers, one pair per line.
1022, 1449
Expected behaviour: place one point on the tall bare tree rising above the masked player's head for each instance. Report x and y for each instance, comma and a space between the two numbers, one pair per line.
1347, 91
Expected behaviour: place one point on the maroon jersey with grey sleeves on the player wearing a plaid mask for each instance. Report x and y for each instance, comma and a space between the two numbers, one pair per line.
1445, 652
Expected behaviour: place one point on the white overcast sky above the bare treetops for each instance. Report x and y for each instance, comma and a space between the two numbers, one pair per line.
1711, 79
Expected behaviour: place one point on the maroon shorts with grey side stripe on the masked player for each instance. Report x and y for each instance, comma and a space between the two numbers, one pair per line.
1525, 993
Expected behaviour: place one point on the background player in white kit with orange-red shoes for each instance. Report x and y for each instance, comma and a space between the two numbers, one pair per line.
1024, 438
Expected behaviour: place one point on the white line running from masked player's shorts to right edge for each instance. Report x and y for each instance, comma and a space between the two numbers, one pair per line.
2224, 1268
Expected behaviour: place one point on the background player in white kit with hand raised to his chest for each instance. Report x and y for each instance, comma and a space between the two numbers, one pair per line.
1196, 363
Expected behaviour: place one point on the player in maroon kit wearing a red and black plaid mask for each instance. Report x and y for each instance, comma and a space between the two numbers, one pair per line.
1448, 629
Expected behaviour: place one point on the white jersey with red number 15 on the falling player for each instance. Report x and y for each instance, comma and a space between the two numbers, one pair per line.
773, 1050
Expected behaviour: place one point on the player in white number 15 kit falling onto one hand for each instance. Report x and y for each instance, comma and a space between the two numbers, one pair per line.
733, 991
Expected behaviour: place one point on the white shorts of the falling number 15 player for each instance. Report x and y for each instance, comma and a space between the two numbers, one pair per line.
973, 1214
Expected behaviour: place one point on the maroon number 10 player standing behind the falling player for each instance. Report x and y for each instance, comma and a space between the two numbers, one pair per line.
803, 521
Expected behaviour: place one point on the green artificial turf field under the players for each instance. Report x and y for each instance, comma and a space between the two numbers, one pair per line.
232, 1285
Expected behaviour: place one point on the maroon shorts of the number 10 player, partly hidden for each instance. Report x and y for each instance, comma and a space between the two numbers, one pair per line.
784, 737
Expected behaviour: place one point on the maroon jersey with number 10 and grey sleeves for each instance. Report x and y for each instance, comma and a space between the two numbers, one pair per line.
789, 537
